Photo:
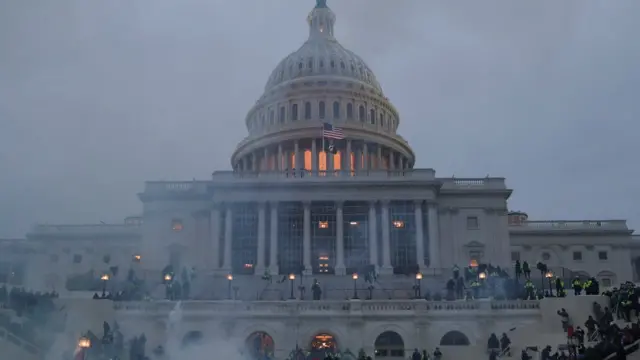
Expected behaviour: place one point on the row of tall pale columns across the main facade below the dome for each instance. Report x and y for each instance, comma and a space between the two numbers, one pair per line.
384, 265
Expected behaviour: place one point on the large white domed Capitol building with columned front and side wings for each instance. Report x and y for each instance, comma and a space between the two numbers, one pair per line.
323, 187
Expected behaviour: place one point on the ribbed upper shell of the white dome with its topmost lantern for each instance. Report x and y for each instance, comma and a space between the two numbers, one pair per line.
322, 55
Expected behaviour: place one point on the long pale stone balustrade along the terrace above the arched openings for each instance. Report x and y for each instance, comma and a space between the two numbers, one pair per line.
324, 308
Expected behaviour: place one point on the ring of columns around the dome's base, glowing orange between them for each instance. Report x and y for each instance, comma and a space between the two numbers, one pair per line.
308, 154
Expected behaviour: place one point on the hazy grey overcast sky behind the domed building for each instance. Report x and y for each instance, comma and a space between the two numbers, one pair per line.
98, 96
